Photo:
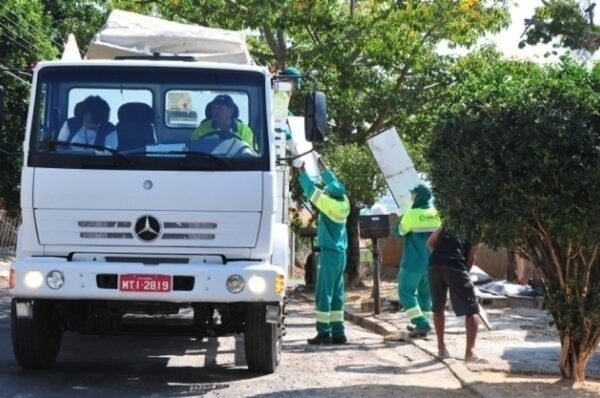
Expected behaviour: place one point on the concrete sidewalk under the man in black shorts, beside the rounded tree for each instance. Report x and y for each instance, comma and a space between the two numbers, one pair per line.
522, 341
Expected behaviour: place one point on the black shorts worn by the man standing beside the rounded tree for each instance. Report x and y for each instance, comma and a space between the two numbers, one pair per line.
462, 290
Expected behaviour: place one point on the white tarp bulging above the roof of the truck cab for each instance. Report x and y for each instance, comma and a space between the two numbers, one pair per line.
130, 34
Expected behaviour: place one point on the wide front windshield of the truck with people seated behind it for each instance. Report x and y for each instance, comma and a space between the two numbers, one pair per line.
149, 117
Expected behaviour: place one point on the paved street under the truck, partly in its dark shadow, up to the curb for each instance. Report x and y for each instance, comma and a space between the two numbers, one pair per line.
180, 367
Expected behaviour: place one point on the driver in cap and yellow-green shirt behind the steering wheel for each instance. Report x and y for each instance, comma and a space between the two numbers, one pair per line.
222, 114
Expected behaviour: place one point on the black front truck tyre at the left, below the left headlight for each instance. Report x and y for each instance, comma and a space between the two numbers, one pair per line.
36, 341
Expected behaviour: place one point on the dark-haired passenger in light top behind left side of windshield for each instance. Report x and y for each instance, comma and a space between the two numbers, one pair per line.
90, 124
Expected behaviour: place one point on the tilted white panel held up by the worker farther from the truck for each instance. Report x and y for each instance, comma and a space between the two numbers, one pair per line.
395, 164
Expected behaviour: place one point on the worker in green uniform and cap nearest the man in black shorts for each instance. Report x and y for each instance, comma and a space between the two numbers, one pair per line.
413, 283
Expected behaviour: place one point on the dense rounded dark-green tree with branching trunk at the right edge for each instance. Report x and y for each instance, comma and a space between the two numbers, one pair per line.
513, 156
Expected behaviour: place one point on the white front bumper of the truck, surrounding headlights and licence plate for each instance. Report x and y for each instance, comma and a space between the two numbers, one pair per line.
81, 281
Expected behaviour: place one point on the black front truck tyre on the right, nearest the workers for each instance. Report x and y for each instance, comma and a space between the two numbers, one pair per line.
262, 341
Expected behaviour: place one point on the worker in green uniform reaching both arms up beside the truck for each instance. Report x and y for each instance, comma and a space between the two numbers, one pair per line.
334, 208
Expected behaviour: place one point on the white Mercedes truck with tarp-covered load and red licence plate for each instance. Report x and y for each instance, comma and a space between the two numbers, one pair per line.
143, 209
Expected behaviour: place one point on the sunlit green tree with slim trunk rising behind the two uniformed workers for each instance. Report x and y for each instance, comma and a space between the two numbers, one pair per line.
377, 61
